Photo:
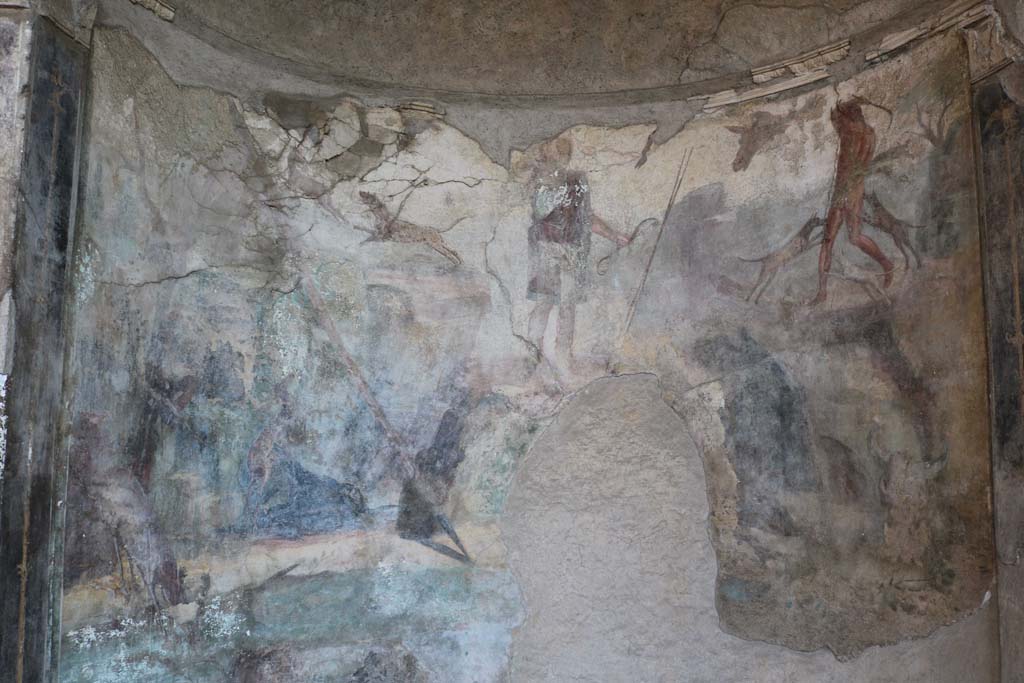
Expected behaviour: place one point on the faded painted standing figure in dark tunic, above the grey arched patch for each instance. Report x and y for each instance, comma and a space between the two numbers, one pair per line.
560, 244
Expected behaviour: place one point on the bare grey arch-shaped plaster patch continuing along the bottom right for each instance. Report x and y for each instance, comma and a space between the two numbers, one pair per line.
607, 530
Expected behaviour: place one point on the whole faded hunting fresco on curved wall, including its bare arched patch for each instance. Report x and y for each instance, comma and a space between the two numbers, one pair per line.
353, 400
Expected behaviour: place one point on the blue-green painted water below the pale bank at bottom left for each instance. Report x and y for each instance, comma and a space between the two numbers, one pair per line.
455, 622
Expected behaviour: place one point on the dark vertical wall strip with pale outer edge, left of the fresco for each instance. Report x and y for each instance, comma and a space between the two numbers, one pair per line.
40, 167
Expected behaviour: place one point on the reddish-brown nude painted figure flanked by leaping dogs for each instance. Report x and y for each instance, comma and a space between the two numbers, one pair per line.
857, 149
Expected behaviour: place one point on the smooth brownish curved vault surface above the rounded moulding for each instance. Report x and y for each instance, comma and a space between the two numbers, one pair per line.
540, 47
